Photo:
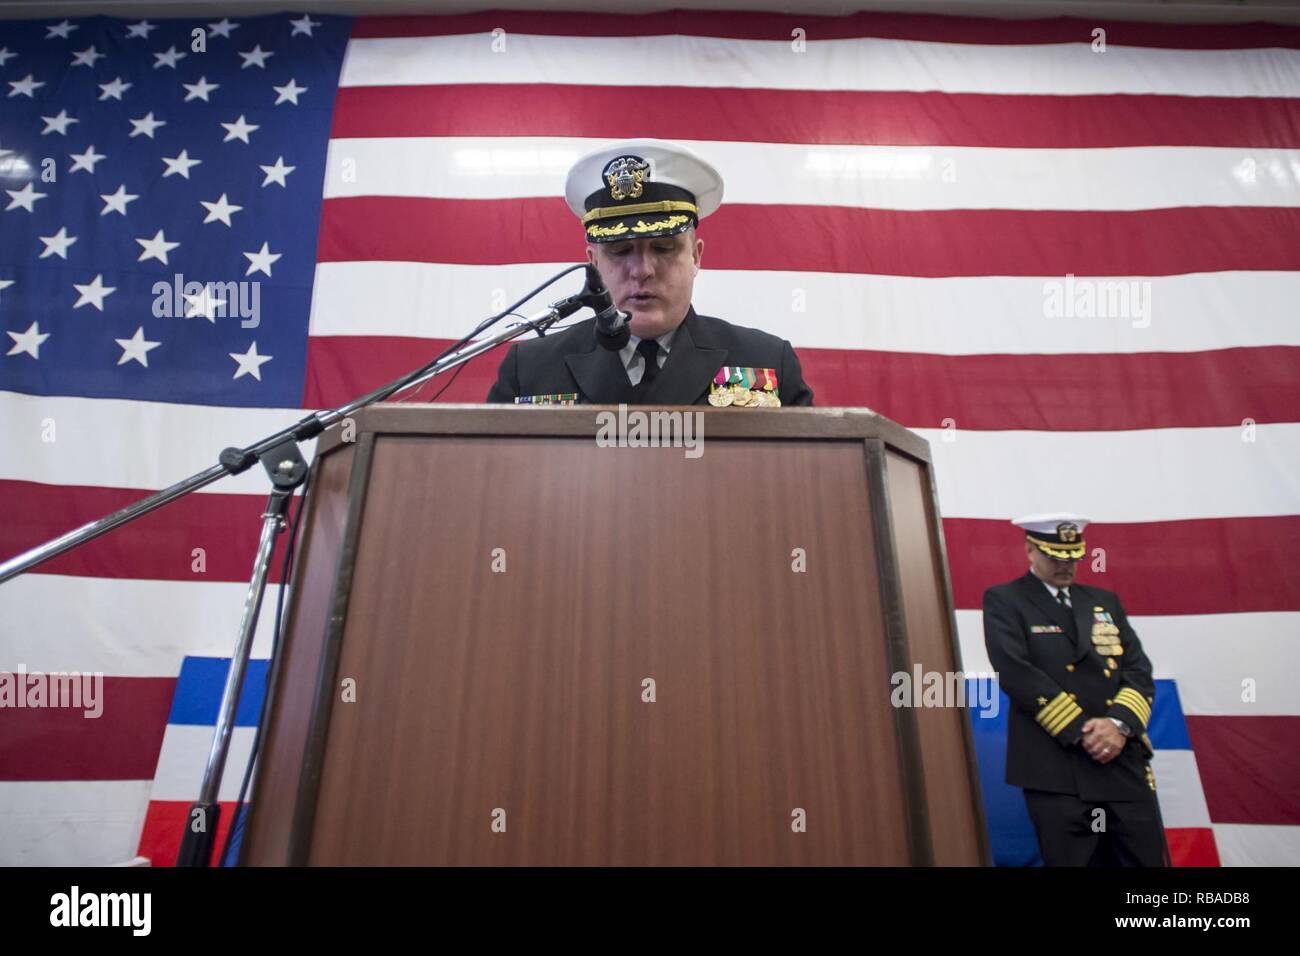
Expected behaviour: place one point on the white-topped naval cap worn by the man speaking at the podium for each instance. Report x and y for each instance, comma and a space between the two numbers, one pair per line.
639, 189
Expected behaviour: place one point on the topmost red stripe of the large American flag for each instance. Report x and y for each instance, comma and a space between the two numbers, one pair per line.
895, 27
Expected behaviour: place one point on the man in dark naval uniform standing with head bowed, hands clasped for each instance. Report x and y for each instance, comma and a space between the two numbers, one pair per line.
1082, 694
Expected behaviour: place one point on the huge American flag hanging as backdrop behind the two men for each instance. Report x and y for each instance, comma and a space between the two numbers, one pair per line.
1071, 259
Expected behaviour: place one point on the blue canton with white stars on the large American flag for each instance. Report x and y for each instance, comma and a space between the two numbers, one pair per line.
161, 197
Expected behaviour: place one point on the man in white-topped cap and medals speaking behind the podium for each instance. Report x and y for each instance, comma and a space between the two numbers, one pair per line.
640, 202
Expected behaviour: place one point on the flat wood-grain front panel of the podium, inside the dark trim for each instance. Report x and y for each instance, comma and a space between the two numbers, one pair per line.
772, 687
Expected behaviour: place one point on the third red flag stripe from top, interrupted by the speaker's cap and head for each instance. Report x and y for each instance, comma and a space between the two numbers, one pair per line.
831, 239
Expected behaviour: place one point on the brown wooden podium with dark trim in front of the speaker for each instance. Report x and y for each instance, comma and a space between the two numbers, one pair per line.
509, 644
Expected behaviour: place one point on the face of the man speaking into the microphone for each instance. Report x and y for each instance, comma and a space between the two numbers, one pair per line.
652, 280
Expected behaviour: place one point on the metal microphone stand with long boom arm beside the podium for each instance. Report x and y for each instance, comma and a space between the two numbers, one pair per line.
284, 462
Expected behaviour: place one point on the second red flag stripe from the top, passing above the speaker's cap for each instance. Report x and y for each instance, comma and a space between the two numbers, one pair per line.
816, 118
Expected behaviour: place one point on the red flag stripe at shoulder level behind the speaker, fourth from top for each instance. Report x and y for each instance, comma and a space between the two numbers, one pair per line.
1087, 393
